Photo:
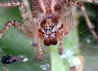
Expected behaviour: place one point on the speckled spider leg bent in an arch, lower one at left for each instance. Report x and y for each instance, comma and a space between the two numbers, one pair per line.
21, 27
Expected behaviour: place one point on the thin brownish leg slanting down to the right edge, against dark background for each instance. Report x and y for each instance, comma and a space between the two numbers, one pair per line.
91, 28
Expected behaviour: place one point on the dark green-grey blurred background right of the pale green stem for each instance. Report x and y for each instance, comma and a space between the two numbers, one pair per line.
88, 44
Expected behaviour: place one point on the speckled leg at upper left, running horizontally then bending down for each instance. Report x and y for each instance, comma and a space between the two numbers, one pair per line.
22, 9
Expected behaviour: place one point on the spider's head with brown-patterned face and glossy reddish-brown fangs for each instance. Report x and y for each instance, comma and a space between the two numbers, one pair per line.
49, 28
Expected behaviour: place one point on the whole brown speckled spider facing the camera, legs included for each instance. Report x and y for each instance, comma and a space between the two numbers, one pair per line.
49, 21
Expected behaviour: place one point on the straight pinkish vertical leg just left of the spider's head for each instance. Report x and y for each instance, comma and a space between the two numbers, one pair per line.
35, 21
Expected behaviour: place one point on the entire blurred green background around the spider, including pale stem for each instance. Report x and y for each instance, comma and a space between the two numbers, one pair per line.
15, 43
